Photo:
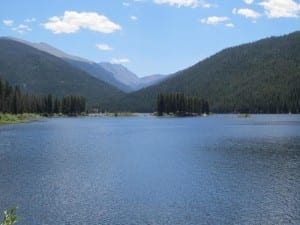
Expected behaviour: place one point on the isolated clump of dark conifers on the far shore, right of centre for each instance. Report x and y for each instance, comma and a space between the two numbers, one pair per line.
180, 104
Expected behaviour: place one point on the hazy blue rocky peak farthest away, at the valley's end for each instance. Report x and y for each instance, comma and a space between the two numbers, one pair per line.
129, 78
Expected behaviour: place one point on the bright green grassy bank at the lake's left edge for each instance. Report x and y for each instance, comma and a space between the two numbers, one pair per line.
7, 118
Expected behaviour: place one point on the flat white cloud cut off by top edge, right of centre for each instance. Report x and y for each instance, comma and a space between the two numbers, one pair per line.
185, 3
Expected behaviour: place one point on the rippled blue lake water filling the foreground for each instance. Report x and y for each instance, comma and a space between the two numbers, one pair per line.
211, 170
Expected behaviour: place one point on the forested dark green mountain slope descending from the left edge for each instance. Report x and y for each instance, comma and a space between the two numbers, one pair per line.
42, 73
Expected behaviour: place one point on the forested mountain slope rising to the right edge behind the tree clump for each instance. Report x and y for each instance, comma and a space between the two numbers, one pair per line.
263, 76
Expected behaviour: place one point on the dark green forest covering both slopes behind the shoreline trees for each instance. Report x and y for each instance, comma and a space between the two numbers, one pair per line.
259, 77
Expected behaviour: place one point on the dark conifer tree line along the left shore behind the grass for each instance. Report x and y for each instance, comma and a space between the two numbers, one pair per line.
13, 101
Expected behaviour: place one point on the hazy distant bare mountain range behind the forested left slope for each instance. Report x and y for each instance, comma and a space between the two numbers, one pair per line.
114, 74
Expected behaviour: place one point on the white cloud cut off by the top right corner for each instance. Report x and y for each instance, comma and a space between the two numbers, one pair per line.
281, 8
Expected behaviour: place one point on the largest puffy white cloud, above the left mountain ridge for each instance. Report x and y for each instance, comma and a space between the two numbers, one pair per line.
72, 22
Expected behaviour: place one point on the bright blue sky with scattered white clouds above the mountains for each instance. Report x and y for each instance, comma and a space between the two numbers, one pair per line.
147, 36
